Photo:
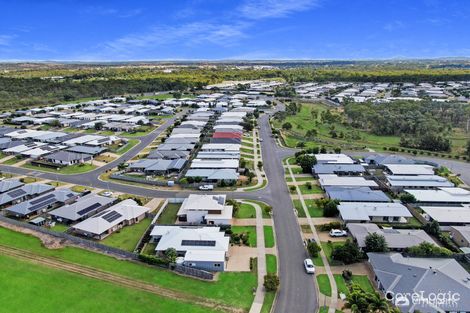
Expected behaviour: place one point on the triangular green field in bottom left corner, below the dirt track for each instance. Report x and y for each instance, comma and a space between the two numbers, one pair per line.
61, 291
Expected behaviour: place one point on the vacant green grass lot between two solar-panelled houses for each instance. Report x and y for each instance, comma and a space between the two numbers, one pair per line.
128, 237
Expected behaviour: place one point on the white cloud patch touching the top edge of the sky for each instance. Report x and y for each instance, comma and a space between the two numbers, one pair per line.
259, 9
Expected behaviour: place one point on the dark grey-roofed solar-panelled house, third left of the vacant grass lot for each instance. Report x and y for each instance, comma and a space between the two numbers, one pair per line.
38, 204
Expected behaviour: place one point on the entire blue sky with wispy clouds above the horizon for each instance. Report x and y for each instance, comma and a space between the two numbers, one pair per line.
87, 30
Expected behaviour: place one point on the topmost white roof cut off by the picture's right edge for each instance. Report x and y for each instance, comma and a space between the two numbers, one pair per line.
445, 195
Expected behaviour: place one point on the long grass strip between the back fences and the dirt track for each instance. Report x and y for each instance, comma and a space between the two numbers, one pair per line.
221, 290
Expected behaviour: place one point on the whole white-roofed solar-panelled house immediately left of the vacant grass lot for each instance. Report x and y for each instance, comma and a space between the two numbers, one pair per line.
108, 221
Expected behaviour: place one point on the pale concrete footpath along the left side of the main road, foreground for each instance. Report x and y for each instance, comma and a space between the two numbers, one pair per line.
260, 292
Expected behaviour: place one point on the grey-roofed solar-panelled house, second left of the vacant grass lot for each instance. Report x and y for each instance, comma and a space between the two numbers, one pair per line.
83, 208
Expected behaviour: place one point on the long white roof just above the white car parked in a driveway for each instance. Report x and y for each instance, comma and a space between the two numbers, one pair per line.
362, 211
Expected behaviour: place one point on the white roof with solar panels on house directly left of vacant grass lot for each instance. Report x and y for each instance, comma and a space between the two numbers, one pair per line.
101, 222
